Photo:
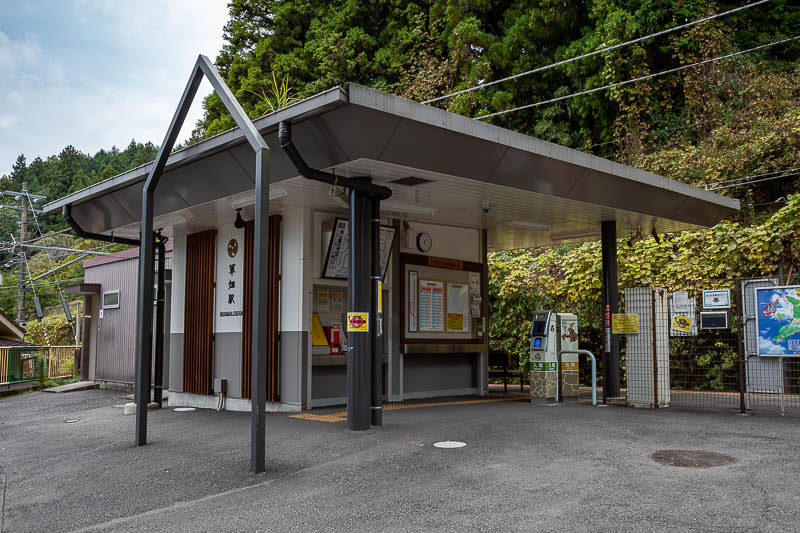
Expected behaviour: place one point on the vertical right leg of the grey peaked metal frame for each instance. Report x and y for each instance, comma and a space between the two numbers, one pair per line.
260, 328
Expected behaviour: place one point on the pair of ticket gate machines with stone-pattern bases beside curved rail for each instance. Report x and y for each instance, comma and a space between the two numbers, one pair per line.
551, 333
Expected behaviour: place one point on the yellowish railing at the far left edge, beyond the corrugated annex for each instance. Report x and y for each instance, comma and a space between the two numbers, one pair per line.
31, 363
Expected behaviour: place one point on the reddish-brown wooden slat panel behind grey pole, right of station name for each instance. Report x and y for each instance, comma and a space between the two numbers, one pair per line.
273, 278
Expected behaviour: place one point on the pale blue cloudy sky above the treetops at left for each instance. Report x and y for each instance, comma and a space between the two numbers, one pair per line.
98, 73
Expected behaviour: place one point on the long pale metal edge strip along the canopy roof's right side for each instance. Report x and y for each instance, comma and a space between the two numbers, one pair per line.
409, 109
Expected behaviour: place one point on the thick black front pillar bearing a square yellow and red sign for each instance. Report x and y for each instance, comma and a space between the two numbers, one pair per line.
360, 301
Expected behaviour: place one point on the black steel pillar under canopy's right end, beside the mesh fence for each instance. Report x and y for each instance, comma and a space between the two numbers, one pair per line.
610, 291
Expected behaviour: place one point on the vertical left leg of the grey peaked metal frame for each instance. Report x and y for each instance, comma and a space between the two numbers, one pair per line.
144, 318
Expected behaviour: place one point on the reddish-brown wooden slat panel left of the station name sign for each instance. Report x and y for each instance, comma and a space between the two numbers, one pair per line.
198, 343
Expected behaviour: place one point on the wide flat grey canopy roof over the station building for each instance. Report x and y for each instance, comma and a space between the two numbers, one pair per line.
524, 191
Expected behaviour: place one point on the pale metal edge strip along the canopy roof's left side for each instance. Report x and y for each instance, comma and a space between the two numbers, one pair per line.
300, 110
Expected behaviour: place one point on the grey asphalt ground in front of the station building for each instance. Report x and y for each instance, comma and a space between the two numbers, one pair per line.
526, 467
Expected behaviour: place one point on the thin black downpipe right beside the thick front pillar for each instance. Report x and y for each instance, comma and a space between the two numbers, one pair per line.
376, 317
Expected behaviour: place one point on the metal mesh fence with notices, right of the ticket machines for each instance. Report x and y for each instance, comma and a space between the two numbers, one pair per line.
705, 368
